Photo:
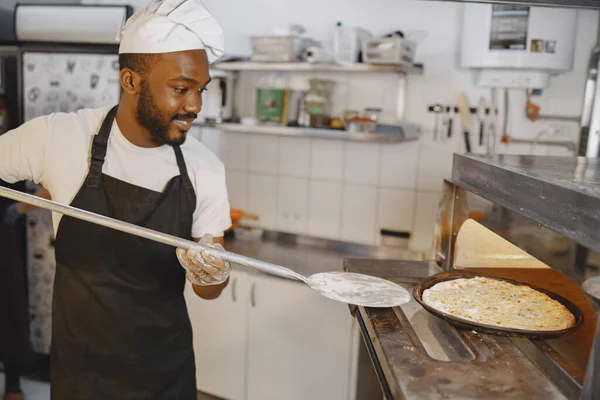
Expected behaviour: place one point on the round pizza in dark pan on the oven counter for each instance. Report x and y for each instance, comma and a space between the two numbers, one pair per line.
499, 303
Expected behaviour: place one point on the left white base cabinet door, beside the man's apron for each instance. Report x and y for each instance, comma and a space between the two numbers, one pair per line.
220, 338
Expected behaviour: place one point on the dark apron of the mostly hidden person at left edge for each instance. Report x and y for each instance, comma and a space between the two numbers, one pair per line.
15, 343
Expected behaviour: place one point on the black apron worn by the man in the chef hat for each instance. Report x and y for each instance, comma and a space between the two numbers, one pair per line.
120, 327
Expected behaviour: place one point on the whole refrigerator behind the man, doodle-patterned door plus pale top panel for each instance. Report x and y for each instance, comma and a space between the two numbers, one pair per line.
55, 76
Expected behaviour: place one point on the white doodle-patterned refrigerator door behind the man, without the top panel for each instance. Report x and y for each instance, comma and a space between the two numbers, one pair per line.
57, 79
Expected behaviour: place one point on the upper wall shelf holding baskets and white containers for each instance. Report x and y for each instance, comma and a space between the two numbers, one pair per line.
307, 67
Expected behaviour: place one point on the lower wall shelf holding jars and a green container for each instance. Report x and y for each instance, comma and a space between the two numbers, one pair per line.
408, 132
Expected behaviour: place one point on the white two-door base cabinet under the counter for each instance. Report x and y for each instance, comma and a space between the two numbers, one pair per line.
269, 338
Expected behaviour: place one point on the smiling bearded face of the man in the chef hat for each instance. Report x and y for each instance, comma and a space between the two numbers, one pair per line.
170, 96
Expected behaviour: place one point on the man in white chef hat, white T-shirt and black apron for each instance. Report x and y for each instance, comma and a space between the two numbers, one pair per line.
120, 324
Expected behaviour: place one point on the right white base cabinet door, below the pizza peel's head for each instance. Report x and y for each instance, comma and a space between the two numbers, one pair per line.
299, 343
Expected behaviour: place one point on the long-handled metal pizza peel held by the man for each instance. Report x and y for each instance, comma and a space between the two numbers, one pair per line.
346, 287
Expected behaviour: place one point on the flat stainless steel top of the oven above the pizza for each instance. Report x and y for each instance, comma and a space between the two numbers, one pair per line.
560, 193
